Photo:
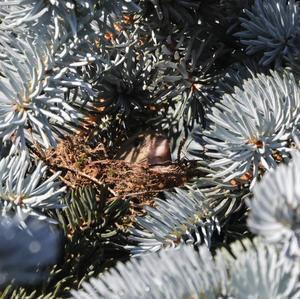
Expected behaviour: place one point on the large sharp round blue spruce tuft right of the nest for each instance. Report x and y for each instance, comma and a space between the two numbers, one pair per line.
251, 129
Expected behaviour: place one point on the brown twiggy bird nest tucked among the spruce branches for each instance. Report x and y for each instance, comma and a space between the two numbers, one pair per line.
82, 165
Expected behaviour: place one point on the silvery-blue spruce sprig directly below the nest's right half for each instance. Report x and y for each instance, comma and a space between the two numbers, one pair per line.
181, 217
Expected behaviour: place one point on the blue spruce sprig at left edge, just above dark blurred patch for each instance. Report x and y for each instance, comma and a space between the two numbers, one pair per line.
27, 190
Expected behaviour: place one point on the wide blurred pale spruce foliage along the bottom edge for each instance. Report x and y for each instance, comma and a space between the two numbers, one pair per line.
259, 269
